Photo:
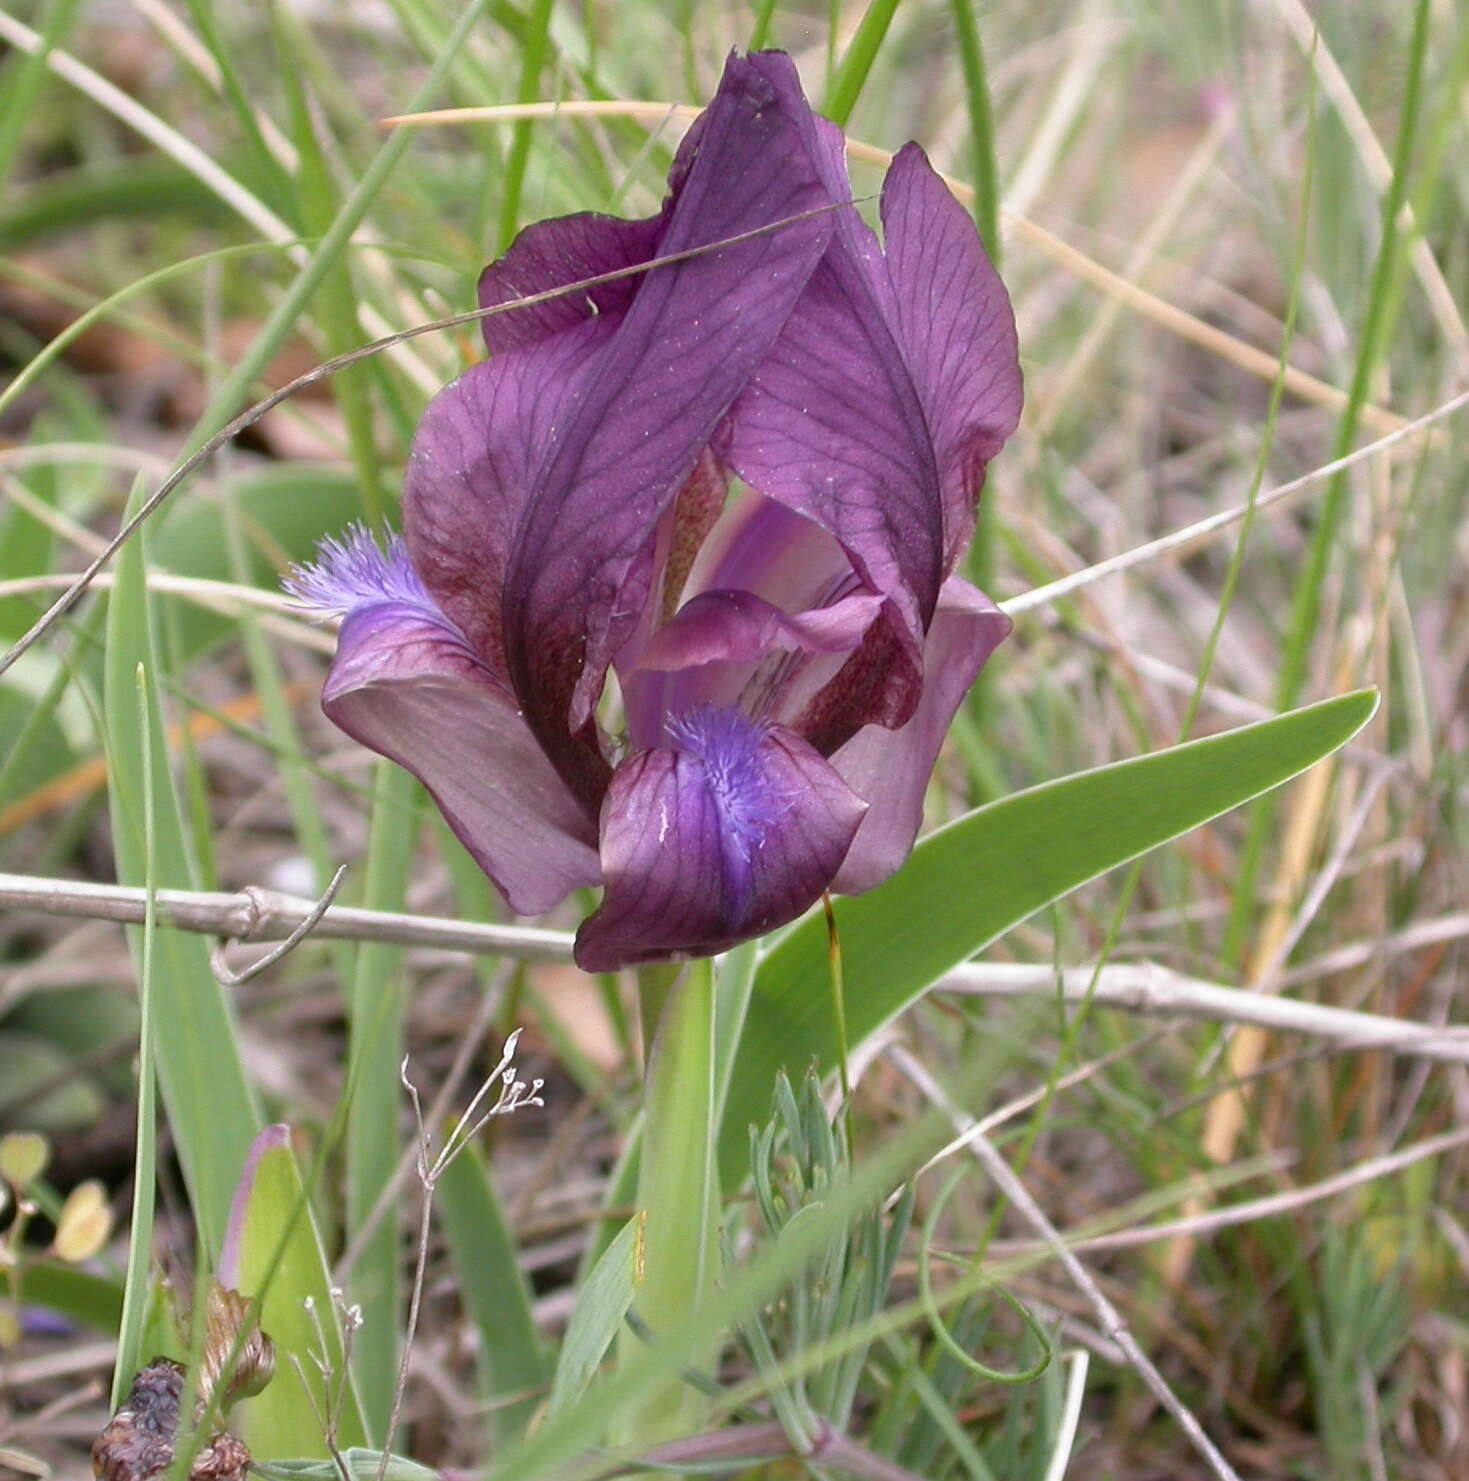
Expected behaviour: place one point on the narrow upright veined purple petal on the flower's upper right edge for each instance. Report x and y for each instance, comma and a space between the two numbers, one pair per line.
957, 330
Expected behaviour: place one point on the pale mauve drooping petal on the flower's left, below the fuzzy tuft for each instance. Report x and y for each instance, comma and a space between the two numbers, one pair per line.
406, 685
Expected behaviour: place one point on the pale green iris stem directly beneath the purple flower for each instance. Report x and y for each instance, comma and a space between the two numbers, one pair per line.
677, 1189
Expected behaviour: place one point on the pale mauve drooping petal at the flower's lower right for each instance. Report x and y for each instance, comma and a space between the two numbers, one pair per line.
892, 768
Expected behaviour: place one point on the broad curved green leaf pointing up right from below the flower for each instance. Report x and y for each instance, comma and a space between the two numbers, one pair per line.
974, 880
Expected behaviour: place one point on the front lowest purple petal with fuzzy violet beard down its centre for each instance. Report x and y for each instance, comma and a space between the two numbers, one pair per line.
734, 832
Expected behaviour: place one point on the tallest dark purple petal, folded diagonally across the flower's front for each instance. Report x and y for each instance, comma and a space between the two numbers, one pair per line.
581, 569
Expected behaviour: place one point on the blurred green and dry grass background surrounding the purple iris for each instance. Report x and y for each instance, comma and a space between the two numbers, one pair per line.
1200, 202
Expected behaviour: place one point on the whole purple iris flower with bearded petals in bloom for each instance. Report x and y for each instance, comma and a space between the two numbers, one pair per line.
738, 484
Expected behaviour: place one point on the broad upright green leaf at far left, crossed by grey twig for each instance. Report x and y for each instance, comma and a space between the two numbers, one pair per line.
211, 1110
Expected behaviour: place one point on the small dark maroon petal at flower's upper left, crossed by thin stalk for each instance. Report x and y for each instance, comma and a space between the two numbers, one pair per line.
553, 254
